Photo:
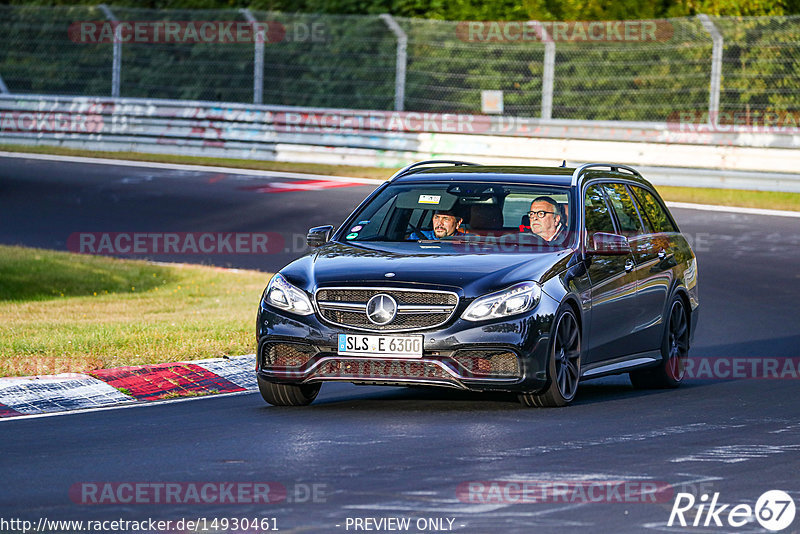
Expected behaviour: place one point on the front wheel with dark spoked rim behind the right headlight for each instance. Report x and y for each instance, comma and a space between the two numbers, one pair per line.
564, 365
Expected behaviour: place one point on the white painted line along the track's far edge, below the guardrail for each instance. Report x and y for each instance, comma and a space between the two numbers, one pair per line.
306, 176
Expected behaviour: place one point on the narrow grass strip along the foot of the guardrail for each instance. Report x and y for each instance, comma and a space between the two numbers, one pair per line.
722, 197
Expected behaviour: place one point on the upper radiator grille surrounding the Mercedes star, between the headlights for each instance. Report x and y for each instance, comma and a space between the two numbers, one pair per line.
347, 307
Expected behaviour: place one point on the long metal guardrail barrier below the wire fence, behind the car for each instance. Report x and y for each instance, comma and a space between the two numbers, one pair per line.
676, 154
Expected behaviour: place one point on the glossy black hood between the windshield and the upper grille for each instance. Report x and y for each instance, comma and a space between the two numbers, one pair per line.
474, 268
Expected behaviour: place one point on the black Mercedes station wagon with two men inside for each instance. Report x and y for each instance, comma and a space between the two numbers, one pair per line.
486, 278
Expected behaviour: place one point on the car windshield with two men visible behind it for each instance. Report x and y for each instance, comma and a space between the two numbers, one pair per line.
466, 211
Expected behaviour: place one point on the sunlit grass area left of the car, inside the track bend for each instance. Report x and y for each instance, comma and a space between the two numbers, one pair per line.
64, 312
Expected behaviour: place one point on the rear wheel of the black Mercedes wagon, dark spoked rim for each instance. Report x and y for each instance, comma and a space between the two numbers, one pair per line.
671, 369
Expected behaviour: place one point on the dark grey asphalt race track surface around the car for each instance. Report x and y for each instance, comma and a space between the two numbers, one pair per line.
447, 459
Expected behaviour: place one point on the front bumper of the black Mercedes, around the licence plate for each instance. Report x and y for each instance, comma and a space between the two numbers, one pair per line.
498, 355
